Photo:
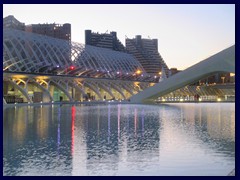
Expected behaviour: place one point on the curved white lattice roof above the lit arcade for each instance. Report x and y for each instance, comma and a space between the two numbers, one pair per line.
33, 53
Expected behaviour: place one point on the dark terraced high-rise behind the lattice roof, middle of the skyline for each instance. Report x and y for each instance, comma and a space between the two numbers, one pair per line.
104, 40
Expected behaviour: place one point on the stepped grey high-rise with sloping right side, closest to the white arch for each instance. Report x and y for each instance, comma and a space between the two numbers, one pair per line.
146, 52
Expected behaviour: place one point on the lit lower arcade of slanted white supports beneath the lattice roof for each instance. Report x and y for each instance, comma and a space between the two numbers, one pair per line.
50, 88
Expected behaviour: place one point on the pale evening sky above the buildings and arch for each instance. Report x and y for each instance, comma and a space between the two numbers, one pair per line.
186, 34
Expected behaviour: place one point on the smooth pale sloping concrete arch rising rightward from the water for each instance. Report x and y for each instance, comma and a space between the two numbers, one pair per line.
223, 61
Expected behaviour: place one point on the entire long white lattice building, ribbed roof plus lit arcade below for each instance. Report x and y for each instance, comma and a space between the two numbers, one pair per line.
58, 70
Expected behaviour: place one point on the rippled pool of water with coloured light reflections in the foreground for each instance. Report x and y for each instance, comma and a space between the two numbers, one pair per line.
169, 139
